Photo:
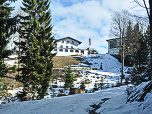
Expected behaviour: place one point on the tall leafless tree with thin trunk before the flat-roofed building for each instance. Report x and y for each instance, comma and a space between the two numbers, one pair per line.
118, 29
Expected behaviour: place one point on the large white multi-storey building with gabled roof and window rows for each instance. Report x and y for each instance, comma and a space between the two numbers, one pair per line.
68, 46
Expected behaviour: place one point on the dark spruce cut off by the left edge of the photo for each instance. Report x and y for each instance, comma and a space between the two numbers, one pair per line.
7, 28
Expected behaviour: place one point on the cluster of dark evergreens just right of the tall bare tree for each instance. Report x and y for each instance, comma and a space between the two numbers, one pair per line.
136, 47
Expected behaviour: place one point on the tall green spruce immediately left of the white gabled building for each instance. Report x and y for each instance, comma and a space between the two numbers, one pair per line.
36, 31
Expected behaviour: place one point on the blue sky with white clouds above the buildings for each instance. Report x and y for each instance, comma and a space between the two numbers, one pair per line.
84, 19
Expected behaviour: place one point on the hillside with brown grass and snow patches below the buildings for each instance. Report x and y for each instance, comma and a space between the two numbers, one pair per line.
88, 71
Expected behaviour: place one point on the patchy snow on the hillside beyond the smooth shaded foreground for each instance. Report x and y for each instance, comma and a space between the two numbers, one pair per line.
89, 70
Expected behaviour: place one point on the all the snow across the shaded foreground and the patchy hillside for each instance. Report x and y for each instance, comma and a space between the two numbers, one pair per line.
81, 103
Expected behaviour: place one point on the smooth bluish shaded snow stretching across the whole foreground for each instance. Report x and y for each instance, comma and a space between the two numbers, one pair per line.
81, 104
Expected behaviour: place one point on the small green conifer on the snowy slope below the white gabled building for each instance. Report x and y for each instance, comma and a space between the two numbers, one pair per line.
69, 78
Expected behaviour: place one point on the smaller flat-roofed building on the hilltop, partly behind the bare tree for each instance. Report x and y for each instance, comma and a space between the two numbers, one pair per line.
113, 45
